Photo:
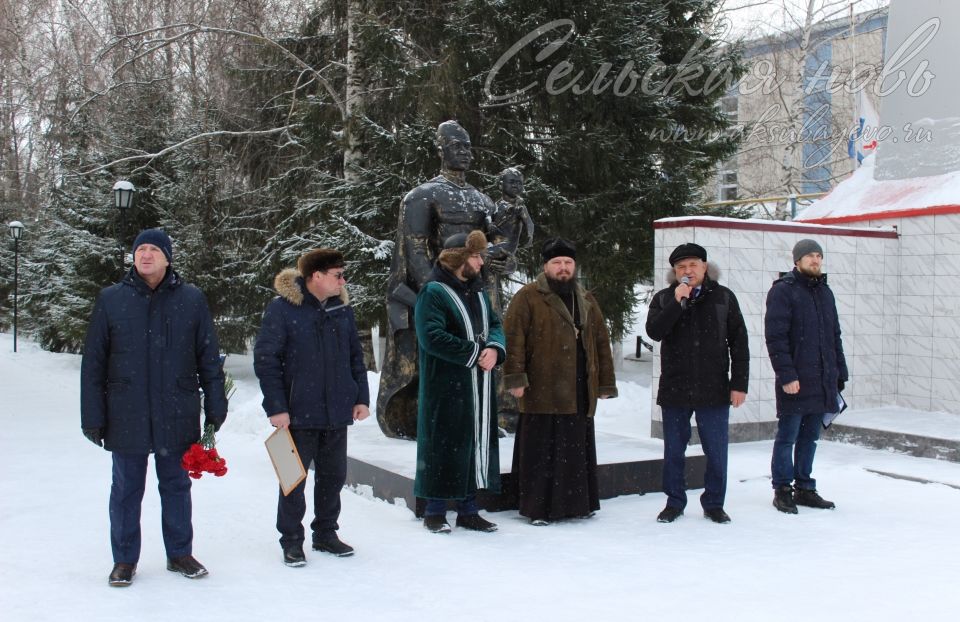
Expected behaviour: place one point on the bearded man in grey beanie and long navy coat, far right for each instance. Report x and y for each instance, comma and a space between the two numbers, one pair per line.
803, 340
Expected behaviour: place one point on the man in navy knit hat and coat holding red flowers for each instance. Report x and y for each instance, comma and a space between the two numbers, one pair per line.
150, 348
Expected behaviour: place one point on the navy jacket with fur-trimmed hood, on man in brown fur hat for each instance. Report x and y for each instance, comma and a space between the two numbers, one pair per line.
308, 358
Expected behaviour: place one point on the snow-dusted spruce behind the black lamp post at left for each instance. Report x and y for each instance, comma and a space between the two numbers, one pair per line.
83, 242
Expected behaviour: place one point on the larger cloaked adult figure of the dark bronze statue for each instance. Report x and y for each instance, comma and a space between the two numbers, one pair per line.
429, 214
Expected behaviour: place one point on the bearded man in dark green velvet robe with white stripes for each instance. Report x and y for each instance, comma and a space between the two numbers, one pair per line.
461, 341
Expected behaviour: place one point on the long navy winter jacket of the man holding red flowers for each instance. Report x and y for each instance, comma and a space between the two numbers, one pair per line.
147, 355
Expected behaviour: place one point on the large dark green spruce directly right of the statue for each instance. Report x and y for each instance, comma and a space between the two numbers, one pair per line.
597, 171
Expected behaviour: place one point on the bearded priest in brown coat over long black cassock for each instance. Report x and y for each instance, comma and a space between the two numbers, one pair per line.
558, 365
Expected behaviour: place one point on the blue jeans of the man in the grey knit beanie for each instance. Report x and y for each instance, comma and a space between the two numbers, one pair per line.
793, 450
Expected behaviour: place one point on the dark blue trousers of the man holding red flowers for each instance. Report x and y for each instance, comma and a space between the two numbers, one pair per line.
126, 495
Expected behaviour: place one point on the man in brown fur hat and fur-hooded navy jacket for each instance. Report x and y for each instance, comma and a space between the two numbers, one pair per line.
309, 361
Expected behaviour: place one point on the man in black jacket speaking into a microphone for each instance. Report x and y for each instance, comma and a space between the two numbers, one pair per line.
704, 369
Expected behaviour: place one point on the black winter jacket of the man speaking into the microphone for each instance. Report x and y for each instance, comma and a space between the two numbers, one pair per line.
700, 346
